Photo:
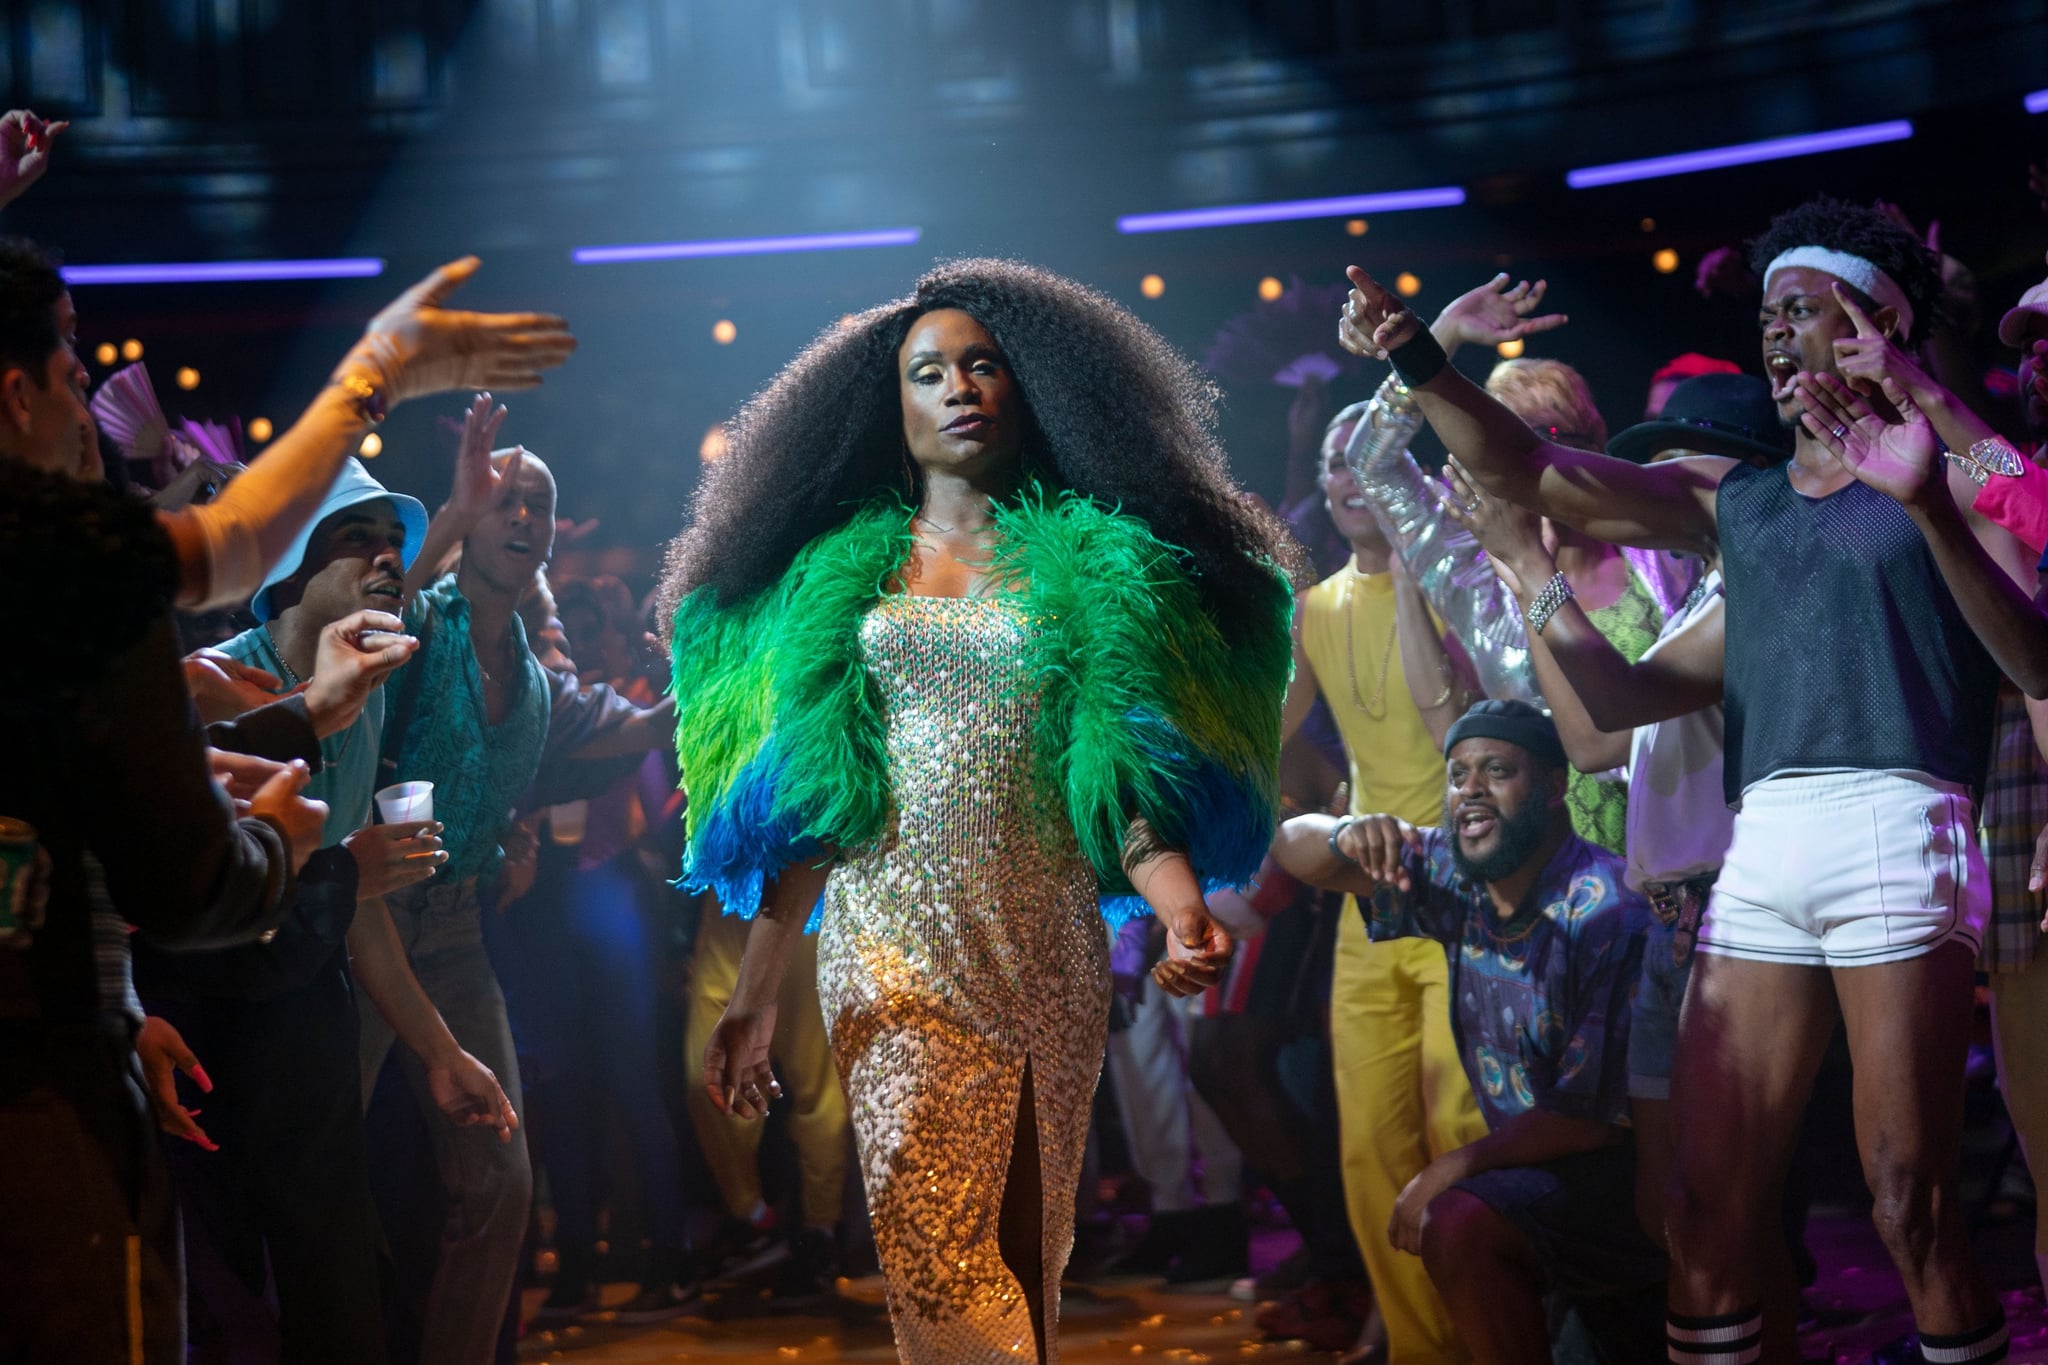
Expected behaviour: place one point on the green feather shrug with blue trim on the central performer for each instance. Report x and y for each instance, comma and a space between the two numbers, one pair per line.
1146, 711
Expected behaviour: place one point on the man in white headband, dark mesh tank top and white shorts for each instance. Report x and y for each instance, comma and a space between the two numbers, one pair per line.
1859, 717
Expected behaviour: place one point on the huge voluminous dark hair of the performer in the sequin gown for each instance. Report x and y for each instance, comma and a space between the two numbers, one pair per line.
1115, 414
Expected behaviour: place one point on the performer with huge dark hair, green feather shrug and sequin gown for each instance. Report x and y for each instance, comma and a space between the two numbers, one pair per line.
978, 646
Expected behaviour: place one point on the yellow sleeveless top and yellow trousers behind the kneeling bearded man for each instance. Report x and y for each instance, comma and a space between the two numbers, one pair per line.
1402, 1090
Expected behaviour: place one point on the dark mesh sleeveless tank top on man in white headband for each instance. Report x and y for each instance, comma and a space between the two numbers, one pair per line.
1846, 648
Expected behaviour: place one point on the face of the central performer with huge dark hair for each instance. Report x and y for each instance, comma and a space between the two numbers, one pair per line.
964, 412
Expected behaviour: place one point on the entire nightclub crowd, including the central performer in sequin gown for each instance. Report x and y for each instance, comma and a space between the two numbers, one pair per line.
1467, 869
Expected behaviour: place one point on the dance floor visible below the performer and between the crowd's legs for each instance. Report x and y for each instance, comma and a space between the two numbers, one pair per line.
1857, 1307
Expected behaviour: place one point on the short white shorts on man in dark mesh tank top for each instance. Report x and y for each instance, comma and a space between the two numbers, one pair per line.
1848, 869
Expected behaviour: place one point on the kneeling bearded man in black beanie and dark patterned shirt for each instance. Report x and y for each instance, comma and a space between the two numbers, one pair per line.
1545, 942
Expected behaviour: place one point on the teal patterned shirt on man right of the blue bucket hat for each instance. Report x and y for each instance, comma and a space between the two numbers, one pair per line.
478, 768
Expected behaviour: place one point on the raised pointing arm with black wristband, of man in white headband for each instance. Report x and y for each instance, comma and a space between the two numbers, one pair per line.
1658, 507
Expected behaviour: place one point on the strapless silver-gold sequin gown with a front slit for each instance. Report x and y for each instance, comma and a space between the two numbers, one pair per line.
957, 951
